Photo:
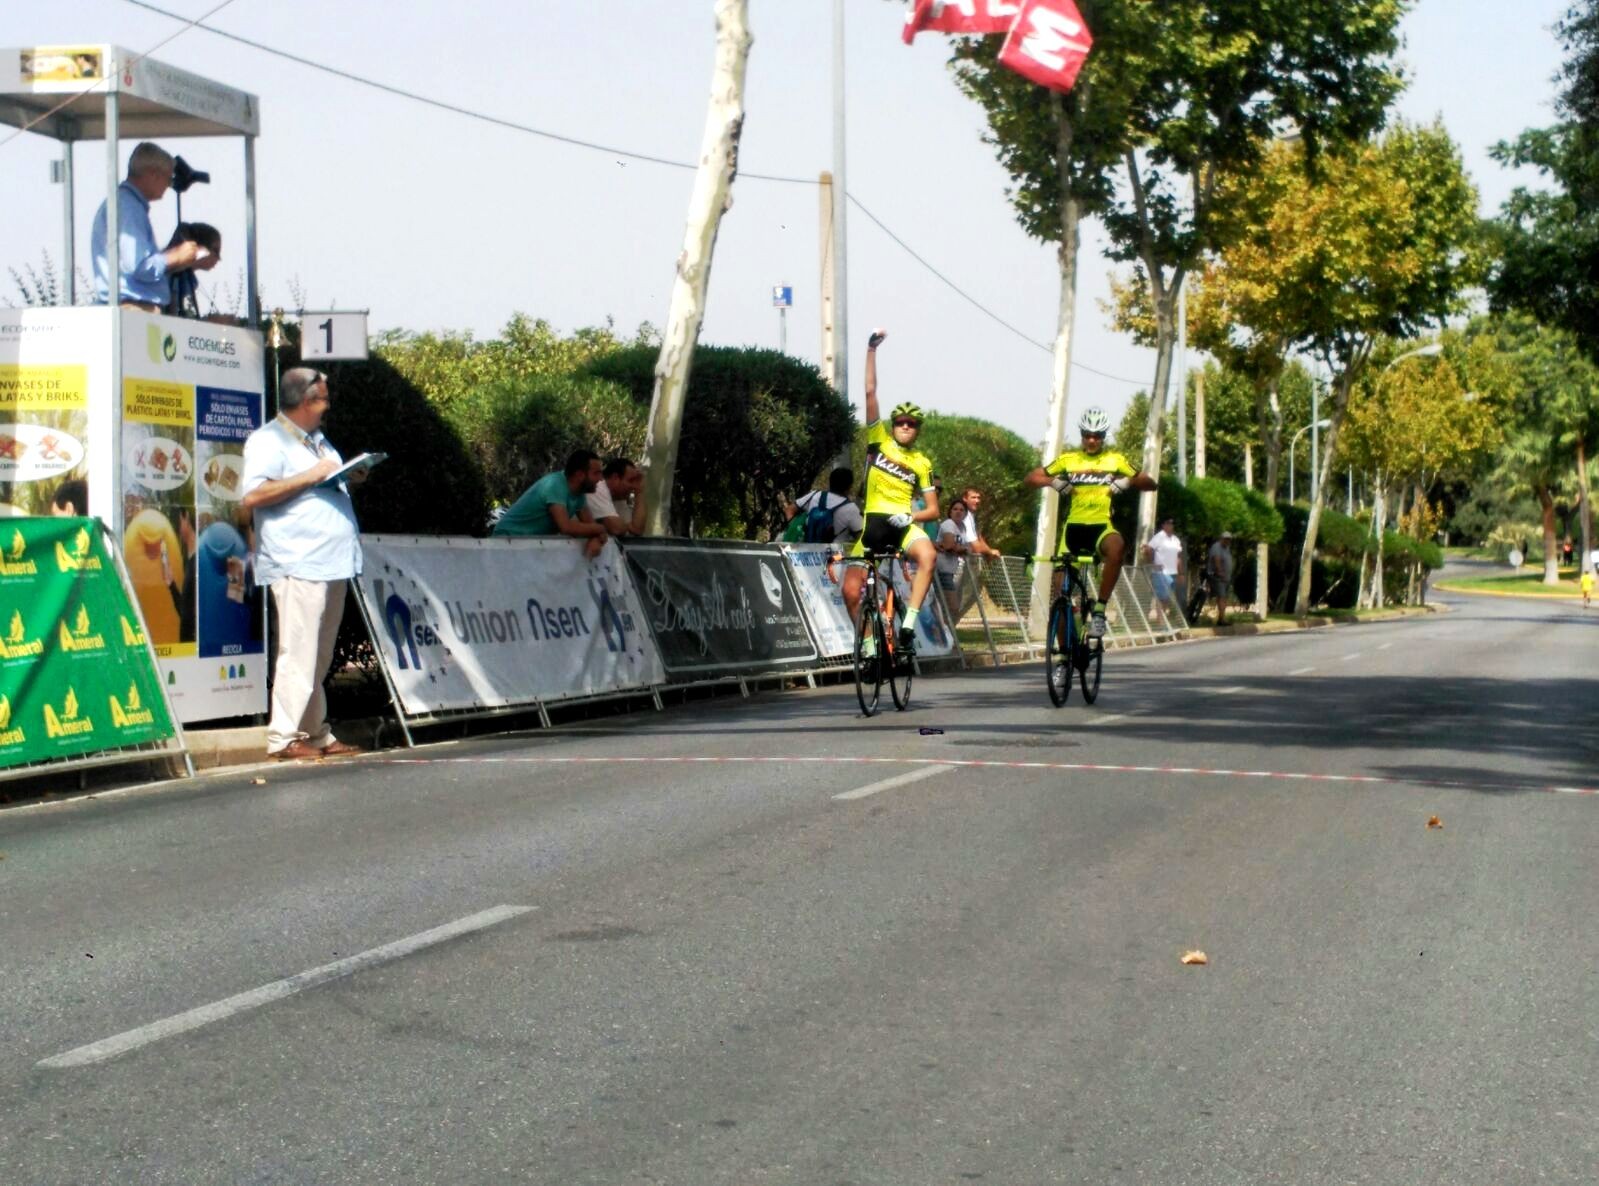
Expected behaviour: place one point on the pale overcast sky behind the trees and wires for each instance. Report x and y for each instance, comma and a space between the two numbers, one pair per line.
434, 221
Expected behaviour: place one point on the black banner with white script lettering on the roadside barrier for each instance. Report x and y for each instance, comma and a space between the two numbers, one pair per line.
720, 608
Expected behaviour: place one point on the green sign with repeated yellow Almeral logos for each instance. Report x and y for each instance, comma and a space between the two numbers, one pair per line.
76, 674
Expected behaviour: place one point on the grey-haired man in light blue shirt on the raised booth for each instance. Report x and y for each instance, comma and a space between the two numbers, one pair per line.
143, 269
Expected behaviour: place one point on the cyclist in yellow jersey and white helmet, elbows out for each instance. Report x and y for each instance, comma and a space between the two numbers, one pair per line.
1088, 477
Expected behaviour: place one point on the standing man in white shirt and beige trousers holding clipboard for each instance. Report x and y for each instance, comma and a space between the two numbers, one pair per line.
308, 551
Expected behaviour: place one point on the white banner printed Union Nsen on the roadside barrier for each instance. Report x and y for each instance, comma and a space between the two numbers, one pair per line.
487, 624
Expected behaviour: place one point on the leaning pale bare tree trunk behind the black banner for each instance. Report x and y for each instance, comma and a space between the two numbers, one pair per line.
709, 202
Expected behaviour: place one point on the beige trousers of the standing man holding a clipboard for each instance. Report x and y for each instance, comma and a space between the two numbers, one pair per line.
309, 615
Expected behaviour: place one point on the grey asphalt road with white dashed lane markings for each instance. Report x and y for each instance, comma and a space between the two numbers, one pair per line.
722, 973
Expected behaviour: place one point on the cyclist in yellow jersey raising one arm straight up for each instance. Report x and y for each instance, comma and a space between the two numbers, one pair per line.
896, 474
